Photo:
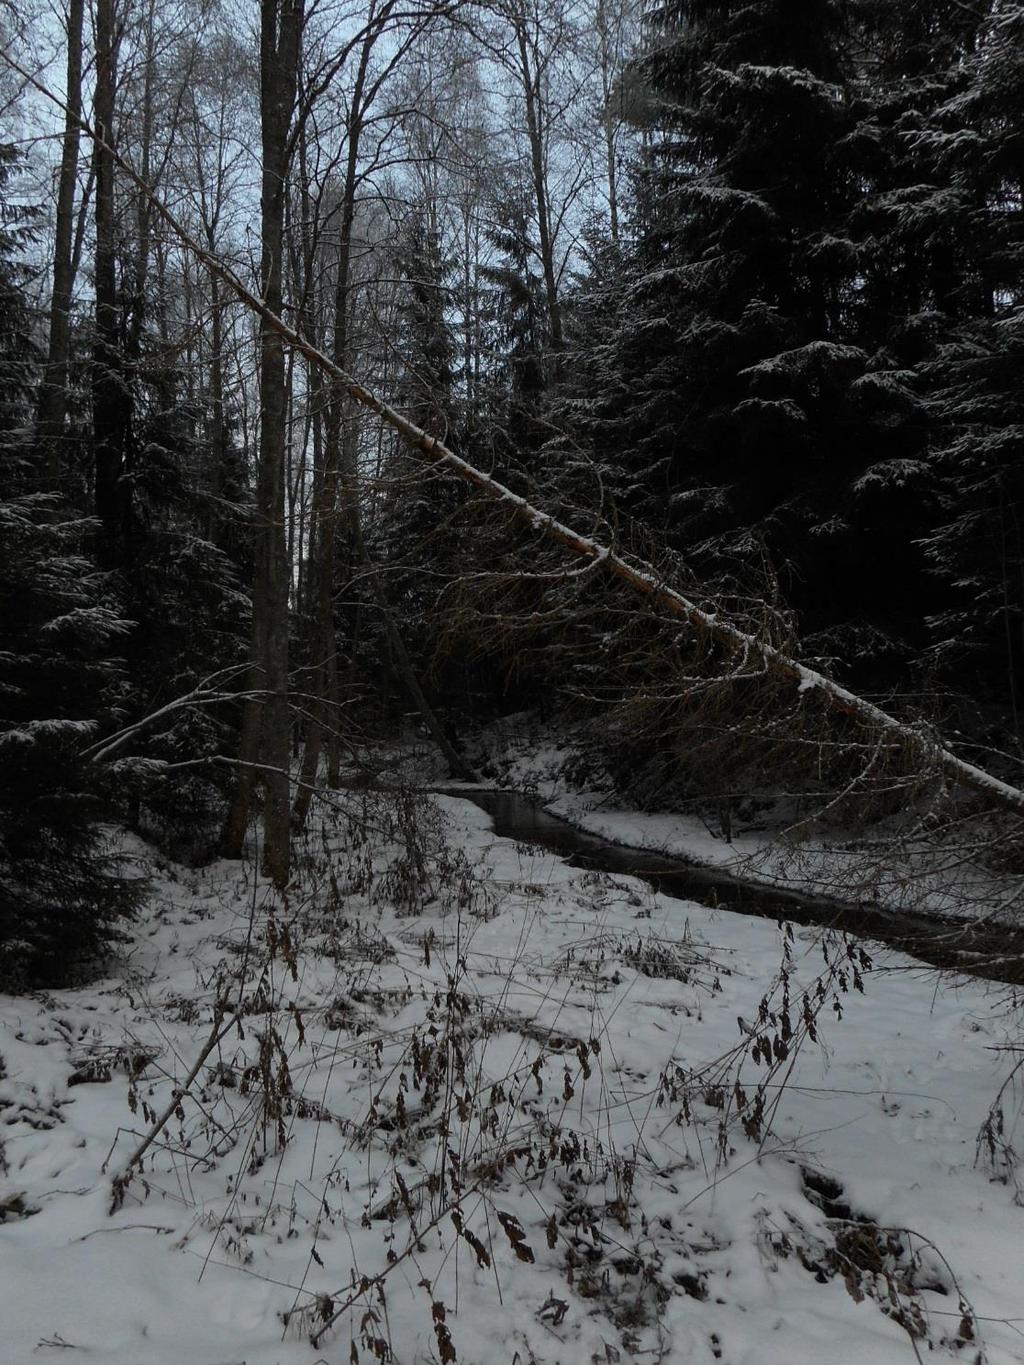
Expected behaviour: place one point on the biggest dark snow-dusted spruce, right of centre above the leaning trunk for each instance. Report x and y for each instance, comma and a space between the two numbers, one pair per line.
754, 413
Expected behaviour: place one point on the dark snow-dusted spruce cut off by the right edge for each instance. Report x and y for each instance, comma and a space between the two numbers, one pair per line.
977, 544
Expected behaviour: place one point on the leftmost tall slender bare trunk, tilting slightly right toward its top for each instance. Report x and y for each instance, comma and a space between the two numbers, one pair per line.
53, 401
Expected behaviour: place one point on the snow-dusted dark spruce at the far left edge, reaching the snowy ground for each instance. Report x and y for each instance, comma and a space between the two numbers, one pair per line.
62, 895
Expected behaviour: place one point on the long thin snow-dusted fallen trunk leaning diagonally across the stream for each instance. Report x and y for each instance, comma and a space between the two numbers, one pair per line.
637, 575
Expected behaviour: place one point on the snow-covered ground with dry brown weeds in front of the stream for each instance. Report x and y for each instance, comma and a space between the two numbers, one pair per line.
470, 1105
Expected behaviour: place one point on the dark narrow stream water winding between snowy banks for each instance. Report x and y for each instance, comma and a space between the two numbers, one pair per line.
986, 952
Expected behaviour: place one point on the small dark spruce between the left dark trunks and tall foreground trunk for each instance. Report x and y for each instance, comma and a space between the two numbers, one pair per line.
192, 620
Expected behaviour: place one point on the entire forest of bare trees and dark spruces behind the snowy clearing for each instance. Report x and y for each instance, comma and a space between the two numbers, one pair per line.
733, 287
